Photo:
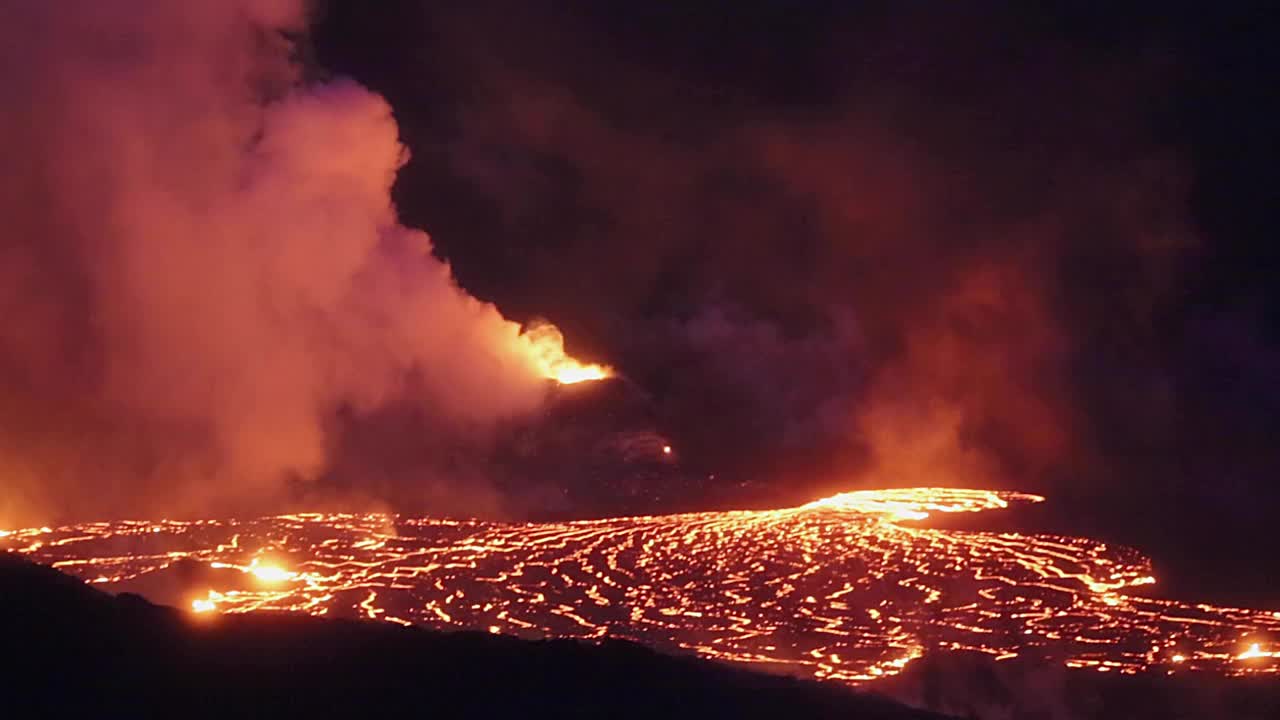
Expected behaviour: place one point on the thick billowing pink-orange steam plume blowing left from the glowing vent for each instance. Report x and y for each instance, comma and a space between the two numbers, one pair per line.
200, 265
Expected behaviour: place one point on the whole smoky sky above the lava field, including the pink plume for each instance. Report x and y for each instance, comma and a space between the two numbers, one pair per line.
826, 247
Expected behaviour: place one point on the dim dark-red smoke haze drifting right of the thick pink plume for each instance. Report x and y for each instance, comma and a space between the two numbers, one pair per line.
867, 263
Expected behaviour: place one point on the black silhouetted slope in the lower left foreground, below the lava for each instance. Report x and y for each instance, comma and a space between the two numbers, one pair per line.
77, 651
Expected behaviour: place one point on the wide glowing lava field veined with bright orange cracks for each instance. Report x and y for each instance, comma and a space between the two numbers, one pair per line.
839, 589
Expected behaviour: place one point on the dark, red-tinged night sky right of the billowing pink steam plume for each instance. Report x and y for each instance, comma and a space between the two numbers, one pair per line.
886, 241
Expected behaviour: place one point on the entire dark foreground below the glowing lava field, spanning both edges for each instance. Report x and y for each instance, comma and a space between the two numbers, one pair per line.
75, 651
